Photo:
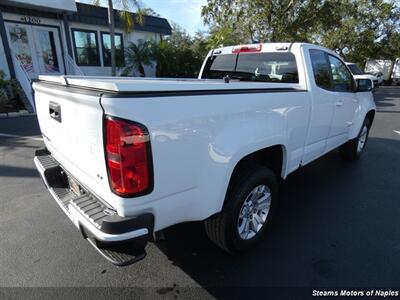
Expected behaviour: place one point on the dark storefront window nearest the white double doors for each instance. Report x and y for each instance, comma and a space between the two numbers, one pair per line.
86, 48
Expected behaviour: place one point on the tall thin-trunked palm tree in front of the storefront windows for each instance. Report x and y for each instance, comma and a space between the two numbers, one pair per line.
126, 17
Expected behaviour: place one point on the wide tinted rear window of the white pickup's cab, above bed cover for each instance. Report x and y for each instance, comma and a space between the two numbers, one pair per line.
259, 67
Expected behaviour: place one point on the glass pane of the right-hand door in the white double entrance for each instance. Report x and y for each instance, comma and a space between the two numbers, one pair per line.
48, 48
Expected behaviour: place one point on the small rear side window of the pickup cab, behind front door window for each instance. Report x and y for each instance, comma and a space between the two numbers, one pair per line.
321, 69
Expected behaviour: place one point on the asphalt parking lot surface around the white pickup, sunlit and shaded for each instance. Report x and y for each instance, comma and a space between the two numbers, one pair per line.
337, 226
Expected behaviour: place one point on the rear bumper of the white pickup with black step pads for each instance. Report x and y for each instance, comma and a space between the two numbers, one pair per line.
98, 222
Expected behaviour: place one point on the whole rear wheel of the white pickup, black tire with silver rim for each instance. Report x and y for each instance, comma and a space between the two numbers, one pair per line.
248, 209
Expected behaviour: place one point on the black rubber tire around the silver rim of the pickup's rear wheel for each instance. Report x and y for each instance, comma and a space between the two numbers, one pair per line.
222, 228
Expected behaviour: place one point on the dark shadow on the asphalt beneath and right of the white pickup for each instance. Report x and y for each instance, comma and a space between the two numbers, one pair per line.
337, 225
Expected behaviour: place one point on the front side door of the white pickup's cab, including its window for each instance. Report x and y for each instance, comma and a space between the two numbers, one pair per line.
345, 100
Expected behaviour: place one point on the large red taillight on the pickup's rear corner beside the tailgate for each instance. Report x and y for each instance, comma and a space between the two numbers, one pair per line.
128, 156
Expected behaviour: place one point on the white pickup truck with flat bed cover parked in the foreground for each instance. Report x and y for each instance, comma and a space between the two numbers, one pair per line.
126, 158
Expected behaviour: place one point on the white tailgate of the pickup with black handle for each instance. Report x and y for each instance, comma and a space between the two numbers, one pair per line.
71, 122
